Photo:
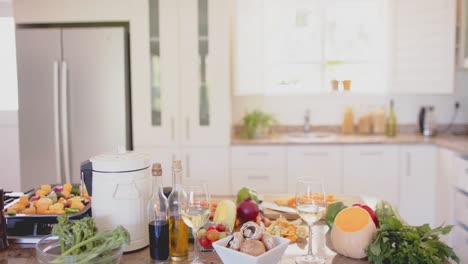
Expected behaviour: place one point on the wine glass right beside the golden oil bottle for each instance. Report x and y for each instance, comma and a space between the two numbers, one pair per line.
195, 211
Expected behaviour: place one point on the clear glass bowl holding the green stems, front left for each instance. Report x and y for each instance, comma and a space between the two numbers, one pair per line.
48, 251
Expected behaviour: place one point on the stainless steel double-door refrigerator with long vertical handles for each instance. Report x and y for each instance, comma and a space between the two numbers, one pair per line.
74, 99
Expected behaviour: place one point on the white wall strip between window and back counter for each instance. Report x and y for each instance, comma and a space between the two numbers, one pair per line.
326, 109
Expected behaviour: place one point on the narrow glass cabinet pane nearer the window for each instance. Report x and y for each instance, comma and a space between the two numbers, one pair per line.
204, 102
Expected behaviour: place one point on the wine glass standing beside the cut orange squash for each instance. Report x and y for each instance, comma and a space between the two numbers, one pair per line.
310, 205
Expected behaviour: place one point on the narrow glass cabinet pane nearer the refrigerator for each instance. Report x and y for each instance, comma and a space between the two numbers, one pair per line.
155, 63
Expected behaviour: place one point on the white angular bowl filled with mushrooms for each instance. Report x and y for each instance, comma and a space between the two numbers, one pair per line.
251, 244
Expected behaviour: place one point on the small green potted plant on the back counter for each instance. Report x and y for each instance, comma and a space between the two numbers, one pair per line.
257, 124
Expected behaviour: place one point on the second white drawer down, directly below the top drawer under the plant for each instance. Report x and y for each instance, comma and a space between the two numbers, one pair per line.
265, 181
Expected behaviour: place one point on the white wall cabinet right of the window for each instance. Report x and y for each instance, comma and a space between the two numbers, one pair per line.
423, 48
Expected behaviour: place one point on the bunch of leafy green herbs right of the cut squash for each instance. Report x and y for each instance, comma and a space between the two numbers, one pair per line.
396, 242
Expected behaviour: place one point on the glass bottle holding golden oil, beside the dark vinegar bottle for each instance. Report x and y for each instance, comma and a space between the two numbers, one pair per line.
178, 230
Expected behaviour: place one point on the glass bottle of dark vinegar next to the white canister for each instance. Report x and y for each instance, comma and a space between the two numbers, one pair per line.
158, 226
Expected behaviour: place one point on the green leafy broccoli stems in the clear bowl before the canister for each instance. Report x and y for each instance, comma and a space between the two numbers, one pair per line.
80, 237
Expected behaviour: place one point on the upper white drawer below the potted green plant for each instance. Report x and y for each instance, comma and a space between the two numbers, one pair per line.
258, 157
